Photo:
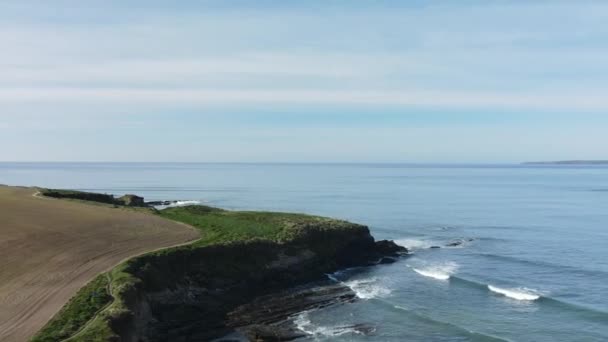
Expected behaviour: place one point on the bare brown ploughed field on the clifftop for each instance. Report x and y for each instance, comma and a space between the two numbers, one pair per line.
50, 248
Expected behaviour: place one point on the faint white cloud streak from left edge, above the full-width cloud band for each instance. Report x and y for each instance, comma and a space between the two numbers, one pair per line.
147, 70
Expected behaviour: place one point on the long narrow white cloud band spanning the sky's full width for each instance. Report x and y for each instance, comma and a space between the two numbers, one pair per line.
449, 99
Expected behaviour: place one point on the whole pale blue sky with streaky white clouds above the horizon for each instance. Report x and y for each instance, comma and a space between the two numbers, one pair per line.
303, 81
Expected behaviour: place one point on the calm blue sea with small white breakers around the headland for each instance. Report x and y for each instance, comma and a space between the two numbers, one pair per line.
536, 268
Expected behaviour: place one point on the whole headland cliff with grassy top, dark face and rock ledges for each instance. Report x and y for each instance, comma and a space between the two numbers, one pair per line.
212, 287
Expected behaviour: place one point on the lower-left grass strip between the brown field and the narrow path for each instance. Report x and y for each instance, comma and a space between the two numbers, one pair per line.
78, 311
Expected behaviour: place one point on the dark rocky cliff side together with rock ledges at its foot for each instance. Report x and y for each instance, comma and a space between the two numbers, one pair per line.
209, 300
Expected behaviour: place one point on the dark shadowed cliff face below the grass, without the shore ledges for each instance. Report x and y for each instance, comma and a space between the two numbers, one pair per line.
186, 295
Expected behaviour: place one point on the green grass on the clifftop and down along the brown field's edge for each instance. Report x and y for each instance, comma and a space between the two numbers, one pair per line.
217, 226
